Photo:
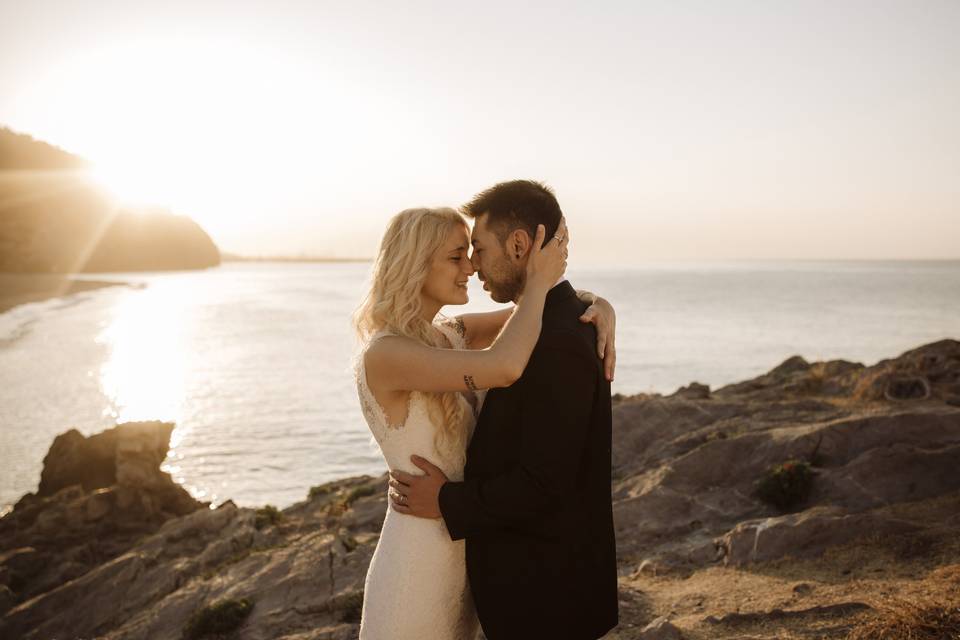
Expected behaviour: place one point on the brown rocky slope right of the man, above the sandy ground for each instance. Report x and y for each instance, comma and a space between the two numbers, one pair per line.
687, 465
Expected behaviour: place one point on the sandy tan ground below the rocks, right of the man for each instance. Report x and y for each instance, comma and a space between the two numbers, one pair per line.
820, 597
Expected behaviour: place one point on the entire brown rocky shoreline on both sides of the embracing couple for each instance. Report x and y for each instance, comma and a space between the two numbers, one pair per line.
817, 500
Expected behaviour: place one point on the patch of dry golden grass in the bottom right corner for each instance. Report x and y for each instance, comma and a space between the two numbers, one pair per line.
902, 619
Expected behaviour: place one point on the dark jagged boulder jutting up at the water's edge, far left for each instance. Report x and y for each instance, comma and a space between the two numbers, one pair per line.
97, 497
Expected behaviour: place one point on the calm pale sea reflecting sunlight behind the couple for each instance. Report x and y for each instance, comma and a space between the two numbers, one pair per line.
252, 360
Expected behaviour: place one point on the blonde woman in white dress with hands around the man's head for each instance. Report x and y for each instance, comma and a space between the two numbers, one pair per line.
416, 375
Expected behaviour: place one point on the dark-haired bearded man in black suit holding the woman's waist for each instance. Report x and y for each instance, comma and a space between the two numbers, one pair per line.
534, 505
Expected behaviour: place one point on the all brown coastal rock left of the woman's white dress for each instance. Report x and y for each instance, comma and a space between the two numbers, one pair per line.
303, 567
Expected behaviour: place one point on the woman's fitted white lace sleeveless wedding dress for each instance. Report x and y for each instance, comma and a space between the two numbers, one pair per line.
416, 587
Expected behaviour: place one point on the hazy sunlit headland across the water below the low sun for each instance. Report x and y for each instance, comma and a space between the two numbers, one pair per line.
59, 221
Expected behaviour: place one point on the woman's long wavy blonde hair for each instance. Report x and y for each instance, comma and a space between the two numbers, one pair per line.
393, 302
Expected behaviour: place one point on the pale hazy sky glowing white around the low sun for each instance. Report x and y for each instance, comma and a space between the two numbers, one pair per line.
673, 130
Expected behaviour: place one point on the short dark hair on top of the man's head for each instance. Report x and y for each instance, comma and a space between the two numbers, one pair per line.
518, 204
